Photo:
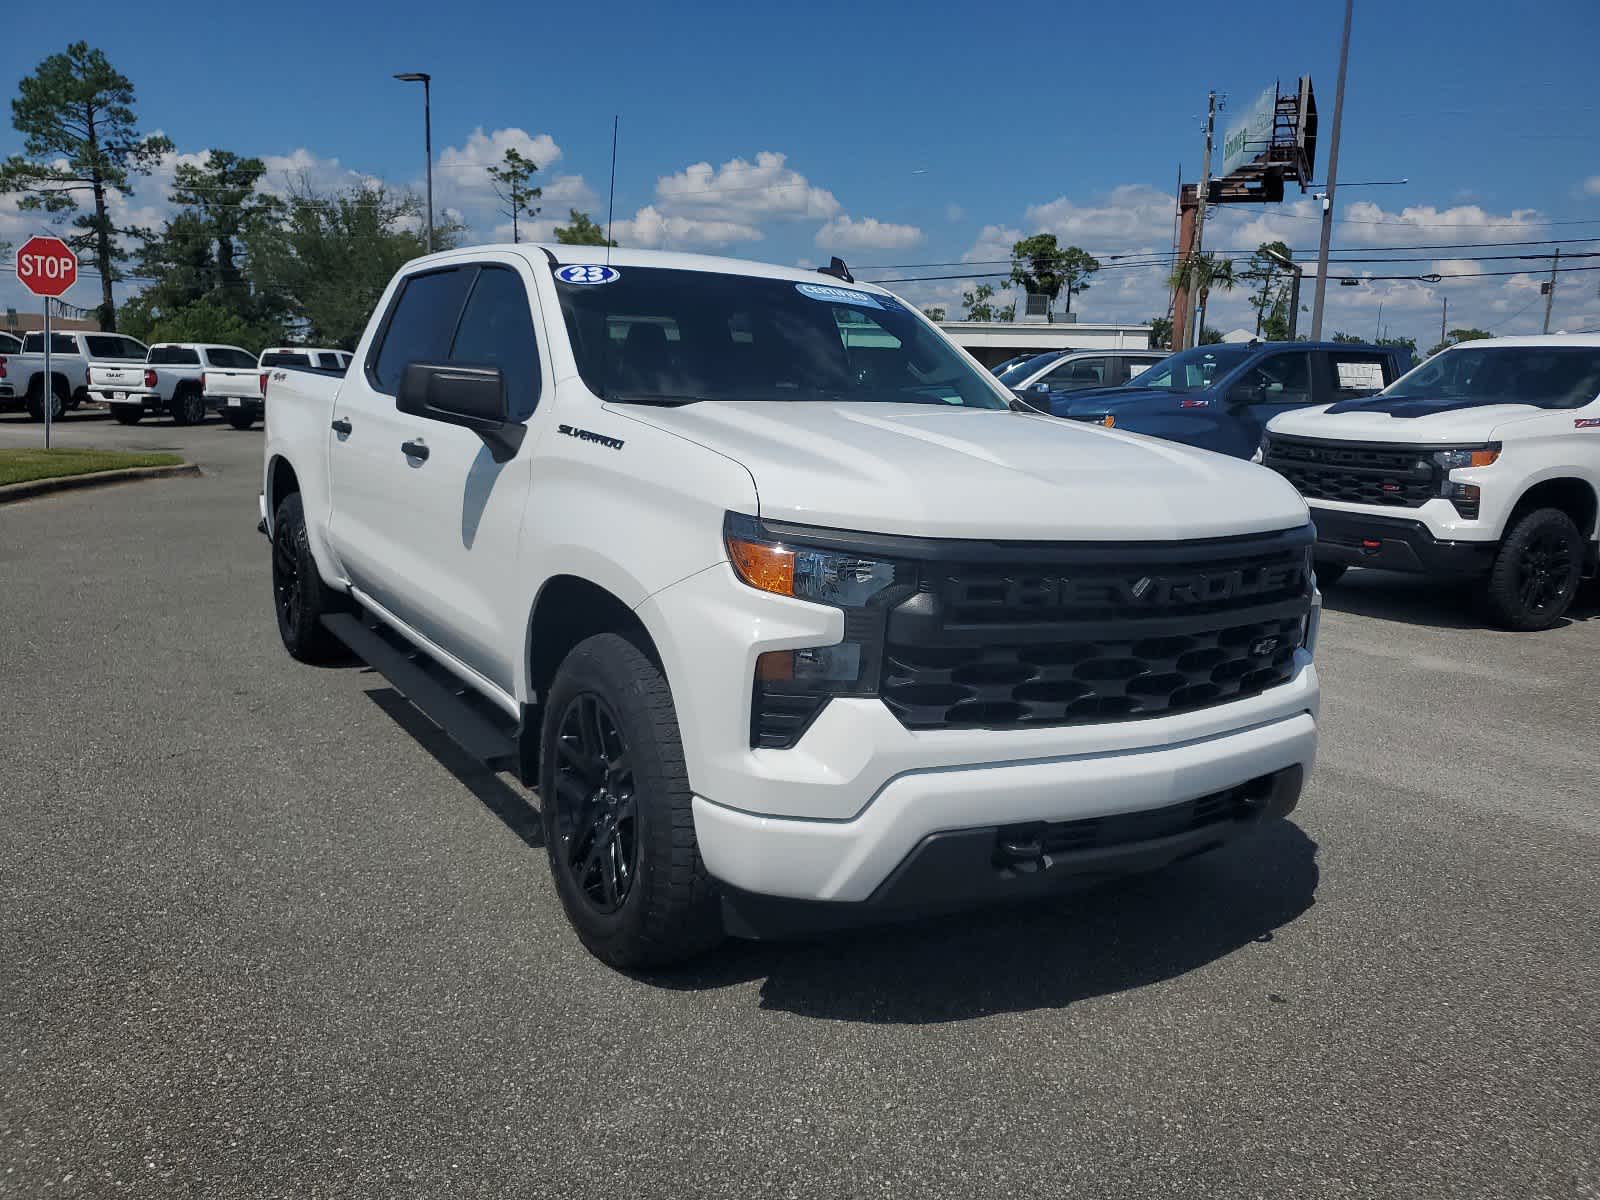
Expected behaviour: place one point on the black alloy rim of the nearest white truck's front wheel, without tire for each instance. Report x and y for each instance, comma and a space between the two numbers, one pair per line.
596, 810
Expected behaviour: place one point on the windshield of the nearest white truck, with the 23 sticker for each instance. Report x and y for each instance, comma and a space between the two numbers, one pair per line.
676, 337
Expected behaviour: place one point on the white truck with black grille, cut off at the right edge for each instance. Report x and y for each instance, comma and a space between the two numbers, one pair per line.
1482, 465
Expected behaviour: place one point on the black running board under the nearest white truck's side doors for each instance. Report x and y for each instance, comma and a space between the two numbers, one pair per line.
474, 726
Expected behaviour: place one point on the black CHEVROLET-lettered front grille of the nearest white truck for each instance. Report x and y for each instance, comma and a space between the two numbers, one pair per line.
1097, 634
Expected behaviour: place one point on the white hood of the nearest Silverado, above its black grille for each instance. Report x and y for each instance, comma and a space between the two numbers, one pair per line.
951, 473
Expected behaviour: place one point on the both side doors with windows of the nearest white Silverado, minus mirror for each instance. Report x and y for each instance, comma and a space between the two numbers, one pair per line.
425, 519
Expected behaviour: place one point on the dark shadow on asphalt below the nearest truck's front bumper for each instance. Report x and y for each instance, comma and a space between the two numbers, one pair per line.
1110, 940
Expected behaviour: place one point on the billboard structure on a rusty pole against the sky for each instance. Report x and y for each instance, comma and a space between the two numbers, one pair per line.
1271, 146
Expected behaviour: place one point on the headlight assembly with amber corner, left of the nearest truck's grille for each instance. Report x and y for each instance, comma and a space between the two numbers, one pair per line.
793, 686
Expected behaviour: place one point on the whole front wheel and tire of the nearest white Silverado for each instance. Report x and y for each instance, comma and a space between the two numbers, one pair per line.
615, 799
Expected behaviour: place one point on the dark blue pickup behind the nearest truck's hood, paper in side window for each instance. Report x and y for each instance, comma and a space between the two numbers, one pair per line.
1222, 398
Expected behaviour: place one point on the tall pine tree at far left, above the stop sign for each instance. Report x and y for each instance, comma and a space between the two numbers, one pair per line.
81, 137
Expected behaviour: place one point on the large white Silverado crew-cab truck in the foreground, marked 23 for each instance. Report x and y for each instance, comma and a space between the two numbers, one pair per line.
786, 610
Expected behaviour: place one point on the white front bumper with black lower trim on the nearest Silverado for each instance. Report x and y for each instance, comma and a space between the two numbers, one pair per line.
929, 836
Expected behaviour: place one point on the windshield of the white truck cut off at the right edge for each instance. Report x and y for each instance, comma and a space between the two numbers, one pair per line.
1546, 377
